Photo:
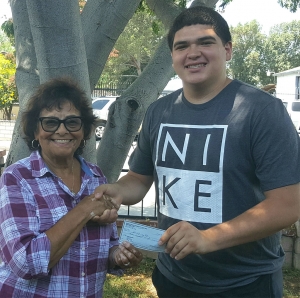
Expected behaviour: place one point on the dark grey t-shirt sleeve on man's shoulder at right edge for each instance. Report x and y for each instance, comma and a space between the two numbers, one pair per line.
275, 147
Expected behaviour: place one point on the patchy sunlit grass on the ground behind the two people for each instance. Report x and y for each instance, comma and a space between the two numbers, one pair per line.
136, 283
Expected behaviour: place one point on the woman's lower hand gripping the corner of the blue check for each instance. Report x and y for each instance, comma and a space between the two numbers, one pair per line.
127, 256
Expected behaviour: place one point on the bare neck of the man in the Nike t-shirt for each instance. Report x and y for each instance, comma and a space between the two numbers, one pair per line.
199, 94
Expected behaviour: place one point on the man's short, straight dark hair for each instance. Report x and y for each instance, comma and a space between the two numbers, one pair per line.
200, 15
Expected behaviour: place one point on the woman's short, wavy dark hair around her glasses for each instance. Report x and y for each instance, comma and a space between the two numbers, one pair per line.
50, 95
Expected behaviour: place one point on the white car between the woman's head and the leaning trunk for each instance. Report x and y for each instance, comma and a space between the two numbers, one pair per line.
100, 108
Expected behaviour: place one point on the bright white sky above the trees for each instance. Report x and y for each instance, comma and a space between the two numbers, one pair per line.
267, 12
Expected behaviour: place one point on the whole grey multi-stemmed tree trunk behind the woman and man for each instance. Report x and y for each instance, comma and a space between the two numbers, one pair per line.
65, 46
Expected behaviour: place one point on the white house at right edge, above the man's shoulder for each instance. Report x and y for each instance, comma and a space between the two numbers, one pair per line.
288, 84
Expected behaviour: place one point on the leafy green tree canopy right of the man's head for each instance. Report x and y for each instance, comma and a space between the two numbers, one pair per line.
254, 53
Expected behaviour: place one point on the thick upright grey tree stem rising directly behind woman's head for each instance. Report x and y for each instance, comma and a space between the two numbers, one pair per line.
59, 46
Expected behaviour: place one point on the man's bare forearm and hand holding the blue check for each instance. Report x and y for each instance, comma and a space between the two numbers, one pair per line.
280, 209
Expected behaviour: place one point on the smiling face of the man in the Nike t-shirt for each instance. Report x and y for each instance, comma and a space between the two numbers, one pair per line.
199, 56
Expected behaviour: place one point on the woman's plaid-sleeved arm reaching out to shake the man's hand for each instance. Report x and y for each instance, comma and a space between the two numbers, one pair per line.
21, 236
